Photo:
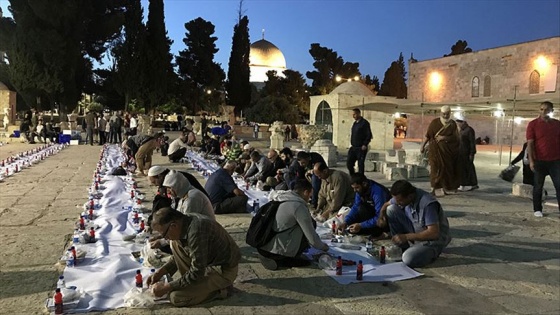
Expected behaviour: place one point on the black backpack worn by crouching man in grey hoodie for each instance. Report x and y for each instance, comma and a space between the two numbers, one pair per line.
261, 229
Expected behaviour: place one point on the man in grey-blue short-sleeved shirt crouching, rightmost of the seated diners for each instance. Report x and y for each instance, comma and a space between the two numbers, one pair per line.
417, 224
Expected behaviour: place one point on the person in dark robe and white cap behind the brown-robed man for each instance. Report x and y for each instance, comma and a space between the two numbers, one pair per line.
467, 151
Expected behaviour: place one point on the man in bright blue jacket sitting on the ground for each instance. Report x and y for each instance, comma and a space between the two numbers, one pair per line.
369, 200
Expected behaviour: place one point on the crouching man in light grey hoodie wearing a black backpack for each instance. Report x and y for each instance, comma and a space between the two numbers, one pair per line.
295, 230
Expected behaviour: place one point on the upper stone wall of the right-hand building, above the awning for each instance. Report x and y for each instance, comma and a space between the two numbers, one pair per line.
505, 66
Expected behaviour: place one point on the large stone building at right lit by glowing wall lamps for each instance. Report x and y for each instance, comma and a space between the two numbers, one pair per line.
498, 89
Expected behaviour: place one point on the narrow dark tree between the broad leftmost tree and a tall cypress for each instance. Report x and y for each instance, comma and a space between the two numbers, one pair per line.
129, 53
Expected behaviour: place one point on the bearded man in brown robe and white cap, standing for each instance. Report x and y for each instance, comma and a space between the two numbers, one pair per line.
443, 142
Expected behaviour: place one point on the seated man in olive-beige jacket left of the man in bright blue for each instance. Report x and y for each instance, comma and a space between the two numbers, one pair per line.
335, 191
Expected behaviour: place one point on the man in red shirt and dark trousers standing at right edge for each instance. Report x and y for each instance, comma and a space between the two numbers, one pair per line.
543, 145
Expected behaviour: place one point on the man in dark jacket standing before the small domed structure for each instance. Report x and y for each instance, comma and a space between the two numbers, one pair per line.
359, 142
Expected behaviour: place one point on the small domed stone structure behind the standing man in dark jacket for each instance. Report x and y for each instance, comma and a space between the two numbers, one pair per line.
335, 111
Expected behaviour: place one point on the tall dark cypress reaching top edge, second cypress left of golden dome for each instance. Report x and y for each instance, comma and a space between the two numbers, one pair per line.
157, 66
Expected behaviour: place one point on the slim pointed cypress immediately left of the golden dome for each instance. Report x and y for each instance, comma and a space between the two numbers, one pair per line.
238, 85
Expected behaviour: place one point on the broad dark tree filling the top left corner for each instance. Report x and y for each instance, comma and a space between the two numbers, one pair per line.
55, 42
